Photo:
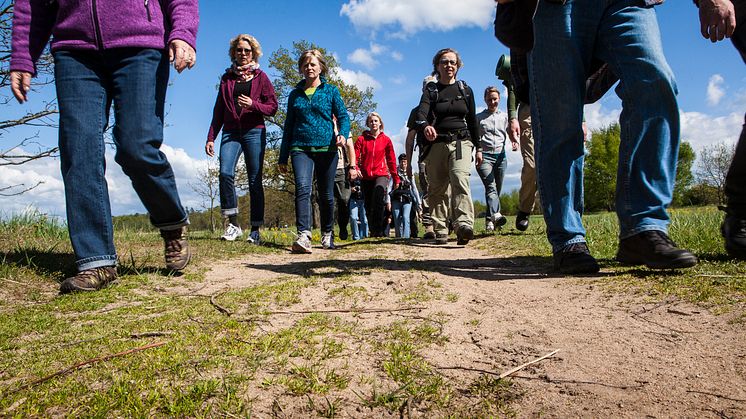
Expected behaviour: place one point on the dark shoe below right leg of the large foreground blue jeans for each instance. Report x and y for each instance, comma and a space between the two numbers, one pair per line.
655, 250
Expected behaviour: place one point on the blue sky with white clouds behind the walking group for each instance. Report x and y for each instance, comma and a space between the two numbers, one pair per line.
388, 45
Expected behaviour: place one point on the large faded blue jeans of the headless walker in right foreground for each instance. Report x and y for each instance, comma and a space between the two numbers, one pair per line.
625, 35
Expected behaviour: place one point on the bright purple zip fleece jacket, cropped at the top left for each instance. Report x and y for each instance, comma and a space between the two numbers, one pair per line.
98, 25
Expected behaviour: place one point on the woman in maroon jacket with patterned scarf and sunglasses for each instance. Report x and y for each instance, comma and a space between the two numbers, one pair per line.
245, 97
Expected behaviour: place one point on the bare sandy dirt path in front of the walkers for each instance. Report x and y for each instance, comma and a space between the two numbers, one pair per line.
620, 355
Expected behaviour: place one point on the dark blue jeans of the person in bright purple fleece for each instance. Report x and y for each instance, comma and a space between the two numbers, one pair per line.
87, 82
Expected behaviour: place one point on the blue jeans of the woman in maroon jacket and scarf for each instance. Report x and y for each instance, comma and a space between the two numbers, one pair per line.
252, 144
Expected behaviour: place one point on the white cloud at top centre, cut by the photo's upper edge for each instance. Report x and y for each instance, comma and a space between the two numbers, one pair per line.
416, 15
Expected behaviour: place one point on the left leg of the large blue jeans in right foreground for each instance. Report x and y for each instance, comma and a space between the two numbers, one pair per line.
564, 40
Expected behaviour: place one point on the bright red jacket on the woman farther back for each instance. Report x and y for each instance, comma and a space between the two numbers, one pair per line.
376, 157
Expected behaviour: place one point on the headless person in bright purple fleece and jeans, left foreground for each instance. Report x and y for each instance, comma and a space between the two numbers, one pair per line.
109, 51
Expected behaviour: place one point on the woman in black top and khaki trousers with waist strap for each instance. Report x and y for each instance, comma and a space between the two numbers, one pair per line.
447, 117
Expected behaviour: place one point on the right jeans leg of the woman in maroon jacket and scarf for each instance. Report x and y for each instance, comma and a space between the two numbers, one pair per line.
254, 142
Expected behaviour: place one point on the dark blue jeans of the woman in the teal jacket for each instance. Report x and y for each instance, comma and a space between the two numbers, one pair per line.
324, 165
